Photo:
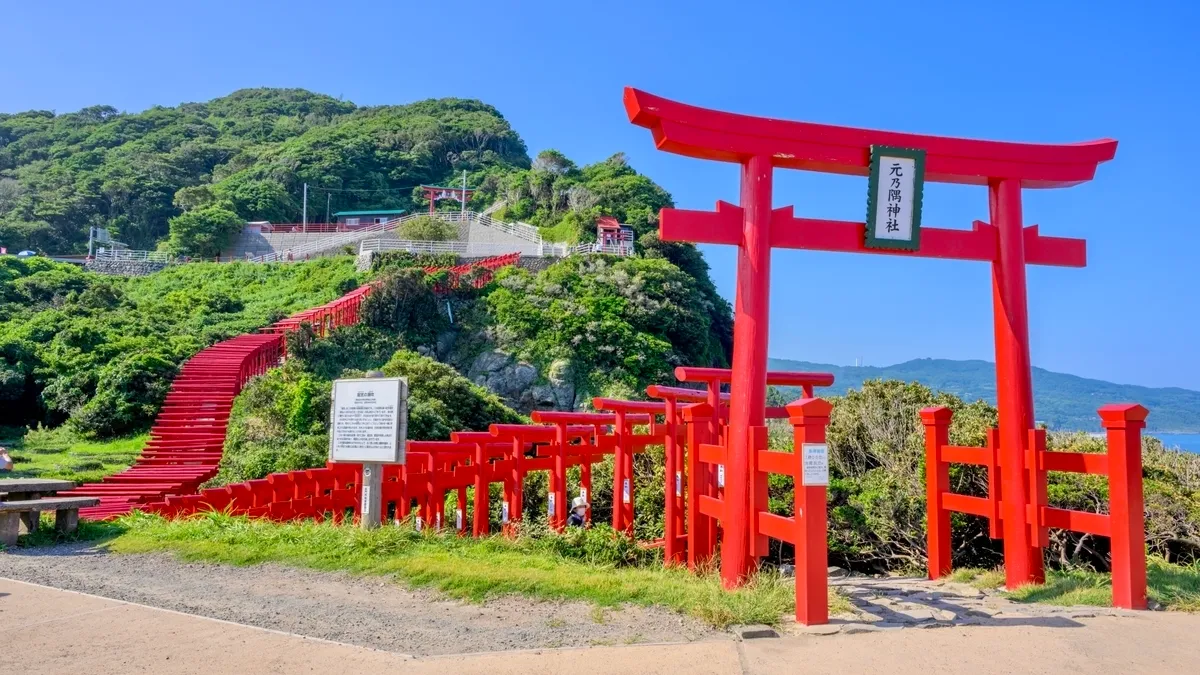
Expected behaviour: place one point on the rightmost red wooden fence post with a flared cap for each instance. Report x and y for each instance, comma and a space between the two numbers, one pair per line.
1124, 426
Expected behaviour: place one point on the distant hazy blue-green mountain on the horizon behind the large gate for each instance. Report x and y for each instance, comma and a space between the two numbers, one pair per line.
1063, 402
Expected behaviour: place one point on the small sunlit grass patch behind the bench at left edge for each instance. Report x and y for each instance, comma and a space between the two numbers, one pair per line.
57, 453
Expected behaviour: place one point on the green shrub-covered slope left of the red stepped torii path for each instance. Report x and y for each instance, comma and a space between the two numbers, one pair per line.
101, 353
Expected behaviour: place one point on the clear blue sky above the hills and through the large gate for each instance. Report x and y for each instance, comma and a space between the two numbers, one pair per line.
1058, 71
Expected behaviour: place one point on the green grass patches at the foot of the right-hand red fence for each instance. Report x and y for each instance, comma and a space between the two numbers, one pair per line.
1173, 587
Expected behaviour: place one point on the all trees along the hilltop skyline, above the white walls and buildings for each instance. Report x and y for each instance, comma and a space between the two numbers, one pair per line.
188, 177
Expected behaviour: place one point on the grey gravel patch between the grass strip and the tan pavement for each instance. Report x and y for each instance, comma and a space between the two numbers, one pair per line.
361, 611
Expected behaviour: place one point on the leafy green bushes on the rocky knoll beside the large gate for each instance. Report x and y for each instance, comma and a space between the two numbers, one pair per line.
608, 325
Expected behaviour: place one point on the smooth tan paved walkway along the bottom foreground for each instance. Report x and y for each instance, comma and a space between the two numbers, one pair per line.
52, 631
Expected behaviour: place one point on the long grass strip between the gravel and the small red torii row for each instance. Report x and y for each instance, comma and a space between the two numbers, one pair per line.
591, 566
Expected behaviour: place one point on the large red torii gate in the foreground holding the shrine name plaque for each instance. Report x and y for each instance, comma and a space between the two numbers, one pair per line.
760, 146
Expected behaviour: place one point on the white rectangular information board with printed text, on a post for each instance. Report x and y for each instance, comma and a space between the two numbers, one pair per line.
369, 421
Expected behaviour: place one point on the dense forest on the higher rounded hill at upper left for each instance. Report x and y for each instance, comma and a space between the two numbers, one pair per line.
133, 174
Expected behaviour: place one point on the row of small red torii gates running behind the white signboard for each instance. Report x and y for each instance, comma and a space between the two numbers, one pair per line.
683, 421
